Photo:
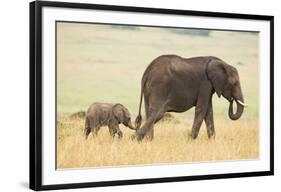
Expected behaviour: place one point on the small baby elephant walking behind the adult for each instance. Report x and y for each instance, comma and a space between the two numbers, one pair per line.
106, 114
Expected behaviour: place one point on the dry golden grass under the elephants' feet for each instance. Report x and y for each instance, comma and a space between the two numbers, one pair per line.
234, 140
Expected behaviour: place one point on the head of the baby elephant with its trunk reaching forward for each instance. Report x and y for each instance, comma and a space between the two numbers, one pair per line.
122, 115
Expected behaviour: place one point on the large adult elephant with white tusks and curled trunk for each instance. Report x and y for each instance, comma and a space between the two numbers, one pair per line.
175, 84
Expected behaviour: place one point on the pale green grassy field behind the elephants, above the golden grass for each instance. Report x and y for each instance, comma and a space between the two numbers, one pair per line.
105, 64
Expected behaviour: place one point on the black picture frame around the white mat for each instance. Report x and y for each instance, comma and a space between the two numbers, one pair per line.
35, 167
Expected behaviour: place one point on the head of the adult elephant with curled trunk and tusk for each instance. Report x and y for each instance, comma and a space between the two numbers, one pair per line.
225, 81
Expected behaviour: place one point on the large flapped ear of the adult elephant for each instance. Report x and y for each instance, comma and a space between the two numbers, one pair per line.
216, 73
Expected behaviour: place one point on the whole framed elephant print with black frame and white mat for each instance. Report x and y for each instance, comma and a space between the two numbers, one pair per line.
131, 95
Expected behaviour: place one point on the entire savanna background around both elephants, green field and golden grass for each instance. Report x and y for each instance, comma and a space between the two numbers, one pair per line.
101, 63
